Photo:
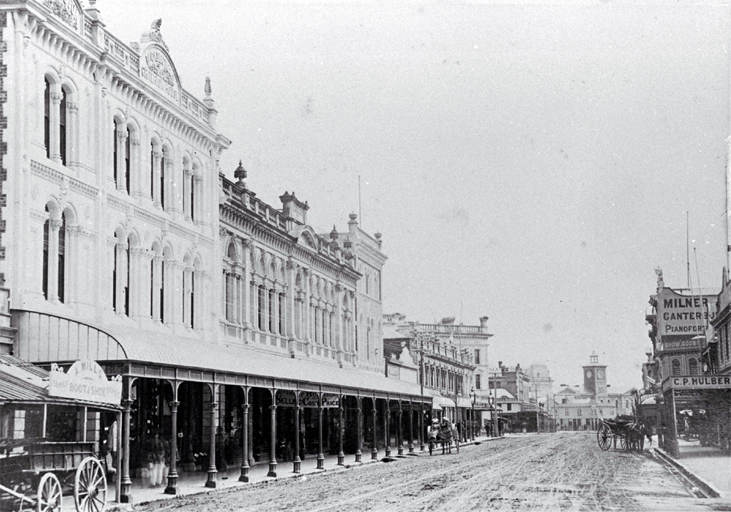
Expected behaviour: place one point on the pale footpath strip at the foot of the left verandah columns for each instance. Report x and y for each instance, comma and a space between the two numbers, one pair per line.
194, 483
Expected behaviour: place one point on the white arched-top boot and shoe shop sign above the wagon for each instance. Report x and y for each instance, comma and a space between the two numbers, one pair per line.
87, 381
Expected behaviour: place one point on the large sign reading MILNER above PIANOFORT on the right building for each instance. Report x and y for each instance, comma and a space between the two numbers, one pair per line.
682, 315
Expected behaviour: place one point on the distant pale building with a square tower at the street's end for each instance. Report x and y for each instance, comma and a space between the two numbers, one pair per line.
583, 408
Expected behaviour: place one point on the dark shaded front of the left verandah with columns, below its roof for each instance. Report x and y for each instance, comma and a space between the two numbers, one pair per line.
231, 422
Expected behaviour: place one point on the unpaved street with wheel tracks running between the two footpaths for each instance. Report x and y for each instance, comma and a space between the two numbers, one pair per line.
561, 471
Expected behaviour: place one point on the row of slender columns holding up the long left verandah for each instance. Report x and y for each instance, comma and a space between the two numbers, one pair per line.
173, 476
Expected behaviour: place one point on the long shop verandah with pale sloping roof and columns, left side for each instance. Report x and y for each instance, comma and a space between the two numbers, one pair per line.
198, 396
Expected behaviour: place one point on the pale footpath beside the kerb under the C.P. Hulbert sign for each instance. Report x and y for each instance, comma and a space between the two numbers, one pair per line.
708, 466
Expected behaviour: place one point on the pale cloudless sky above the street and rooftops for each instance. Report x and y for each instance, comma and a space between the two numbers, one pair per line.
529, 161
